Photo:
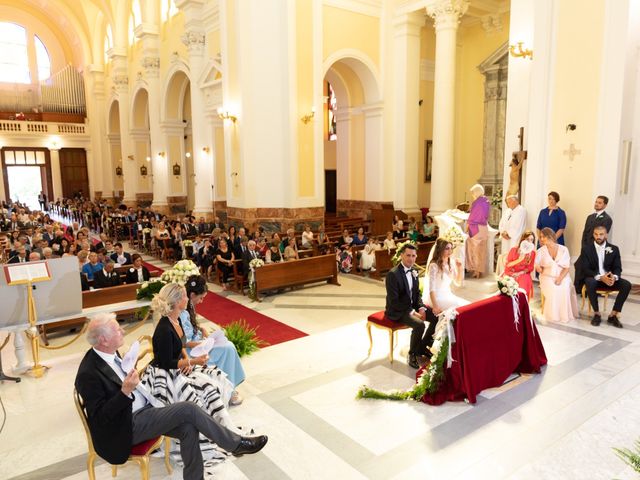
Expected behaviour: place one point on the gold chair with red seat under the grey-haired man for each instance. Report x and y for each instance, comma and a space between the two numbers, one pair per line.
139, 453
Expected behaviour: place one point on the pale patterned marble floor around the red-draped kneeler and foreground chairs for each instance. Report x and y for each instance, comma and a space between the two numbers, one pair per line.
558, 425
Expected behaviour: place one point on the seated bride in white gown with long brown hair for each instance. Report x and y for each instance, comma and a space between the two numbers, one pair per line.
442, 272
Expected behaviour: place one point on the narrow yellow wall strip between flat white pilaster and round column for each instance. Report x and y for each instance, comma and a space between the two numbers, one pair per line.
427, 52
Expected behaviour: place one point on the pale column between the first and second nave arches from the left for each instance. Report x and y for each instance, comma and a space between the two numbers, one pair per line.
130, 164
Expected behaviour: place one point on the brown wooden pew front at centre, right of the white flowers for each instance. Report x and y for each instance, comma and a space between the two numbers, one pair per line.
297, 272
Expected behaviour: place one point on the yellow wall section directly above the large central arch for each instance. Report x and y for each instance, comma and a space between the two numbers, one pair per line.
343, 29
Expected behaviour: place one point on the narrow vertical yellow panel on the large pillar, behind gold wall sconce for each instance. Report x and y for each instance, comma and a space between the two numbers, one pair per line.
304, 63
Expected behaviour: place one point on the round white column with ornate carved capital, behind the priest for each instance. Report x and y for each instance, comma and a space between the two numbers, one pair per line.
446, 15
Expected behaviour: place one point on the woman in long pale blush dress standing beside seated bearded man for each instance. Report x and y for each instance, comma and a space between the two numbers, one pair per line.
552, 263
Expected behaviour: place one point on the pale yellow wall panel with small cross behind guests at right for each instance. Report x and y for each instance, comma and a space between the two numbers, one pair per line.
576, 95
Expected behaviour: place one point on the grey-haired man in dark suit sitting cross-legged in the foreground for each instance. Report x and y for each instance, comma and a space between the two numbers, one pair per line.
122, 413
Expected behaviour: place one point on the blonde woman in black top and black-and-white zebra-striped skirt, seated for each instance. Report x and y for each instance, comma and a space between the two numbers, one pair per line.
173, 376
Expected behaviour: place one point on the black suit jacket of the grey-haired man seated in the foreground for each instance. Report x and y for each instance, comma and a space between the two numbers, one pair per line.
108, 409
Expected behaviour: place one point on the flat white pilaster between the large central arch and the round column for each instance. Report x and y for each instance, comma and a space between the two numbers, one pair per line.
406, 119
